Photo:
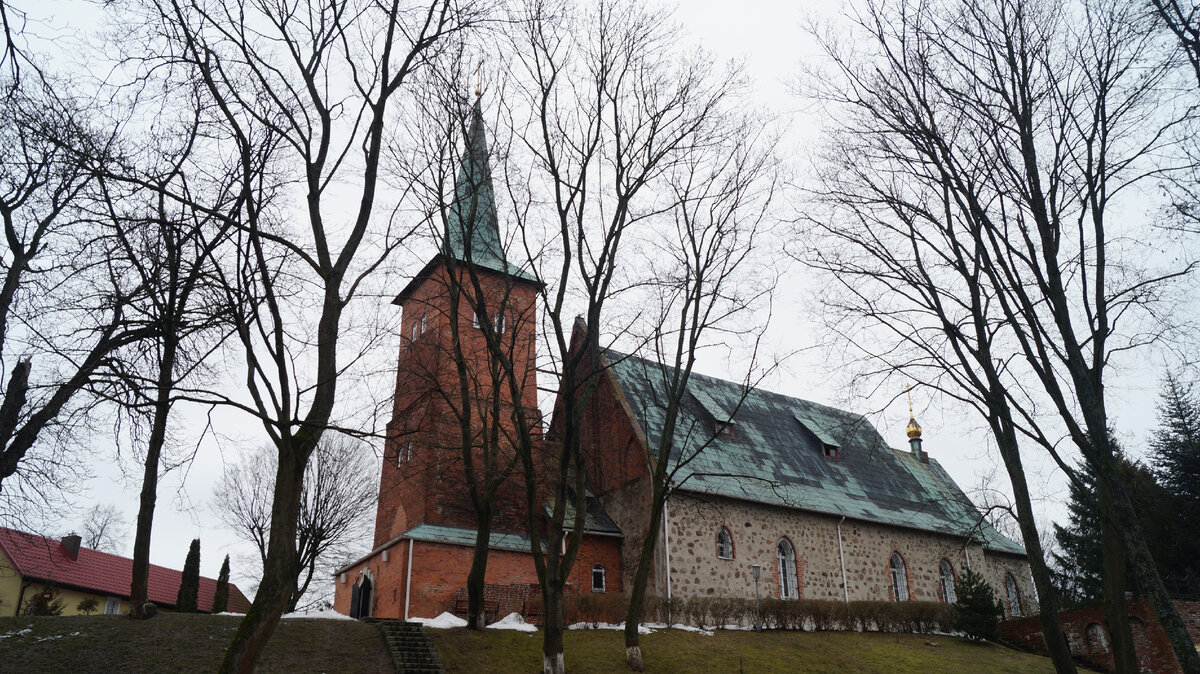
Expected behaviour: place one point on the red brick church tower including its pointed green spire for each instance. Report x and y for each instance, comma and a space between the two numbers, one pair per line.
466, 294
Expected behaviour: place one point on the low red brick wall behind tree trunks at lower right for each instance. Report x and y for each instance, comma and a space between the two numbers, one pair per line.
1153, 648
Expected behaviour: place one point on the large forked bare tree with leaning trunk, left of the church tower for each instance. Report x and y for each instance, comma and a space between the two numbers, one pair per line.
297, 98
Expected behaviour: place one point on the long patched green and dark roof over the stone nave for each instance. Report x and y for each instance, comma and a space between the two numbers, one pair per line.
776, 455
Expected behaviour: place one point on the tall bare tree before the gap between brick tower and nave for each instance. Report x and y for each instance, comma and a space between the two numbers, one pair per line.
602, 111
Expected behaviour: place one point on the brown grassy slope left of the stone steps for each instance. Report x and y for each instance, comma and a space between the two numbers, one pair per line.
183, 643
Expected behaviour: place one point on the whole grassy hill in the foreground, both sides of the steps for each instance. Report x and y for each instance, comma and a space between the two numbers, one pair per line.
196, 643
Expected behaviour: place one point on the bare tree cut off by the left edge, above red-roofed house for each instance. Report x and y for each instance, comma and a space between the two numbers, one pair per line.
63, 300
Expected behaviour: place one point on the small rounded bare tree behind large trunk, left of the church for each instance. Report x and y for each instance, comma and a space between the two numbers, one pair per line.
335, 508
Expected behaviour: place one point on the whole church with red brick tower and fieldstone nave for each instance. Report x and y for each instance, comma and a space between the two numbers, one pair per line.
788, 498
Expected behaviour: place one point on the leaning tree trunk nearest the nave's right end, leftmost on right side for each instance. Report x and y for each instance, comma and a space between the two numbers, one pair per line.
1052, 629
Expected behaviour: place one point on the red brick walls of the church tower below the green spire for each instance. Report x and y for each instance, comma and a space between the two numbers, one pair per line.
433, 488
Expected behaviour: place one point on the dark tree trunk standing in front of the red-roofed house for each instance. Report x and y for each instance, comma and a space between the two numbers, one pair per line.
140, 587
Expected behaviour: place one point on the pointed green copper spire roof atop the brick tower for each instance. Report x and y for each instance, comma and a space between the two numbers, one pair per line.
473, 231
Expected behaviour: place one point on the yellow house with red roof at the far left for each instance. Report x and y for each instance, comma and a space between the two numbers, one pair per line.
32, 564
